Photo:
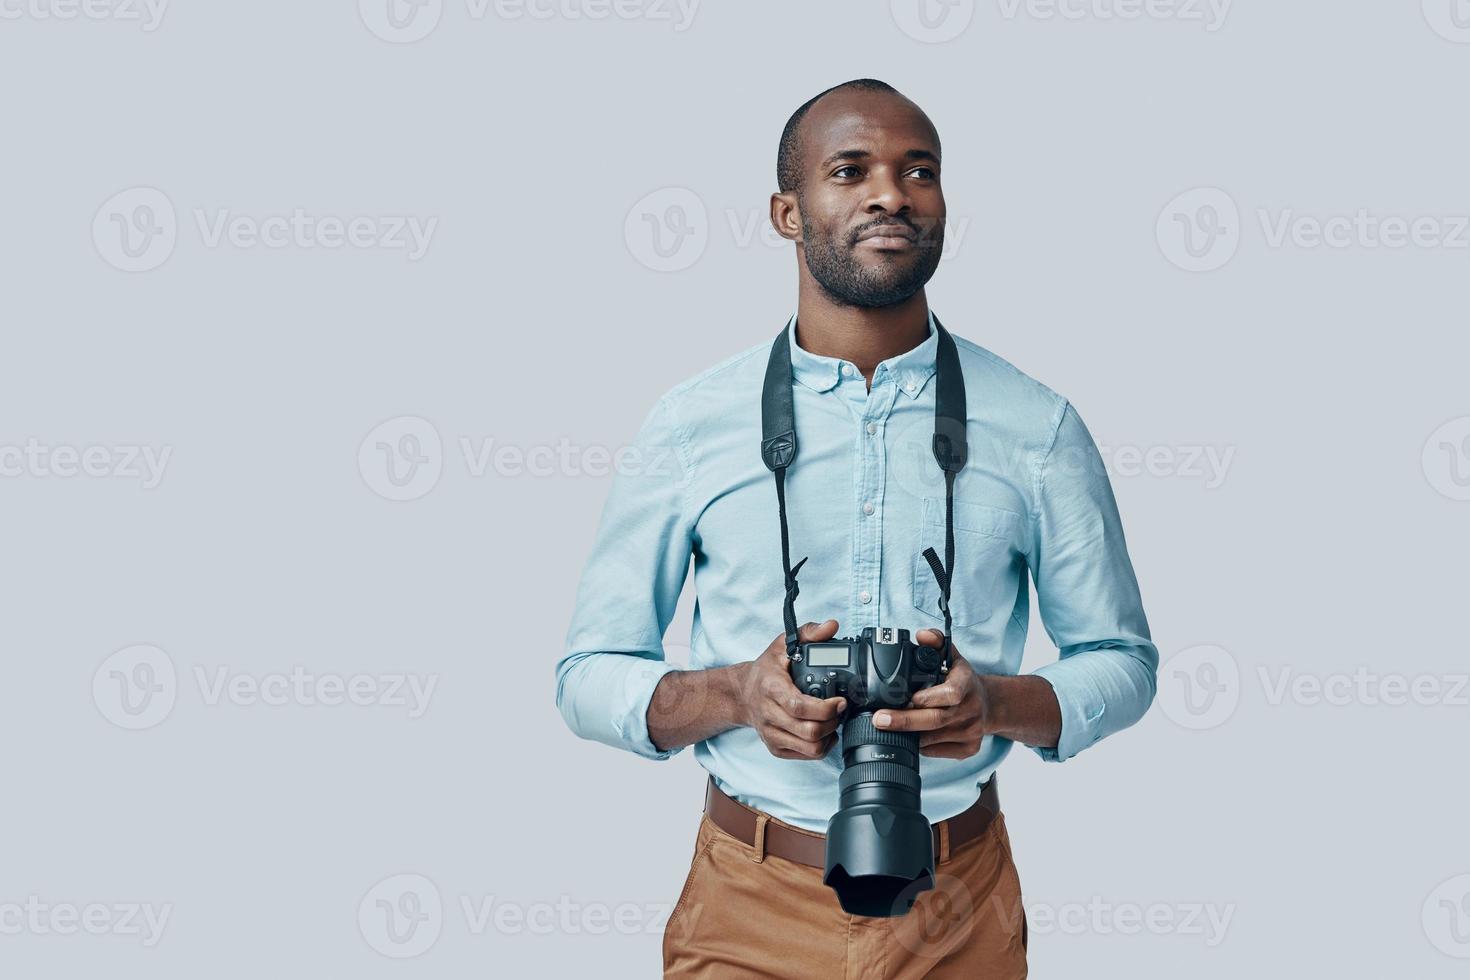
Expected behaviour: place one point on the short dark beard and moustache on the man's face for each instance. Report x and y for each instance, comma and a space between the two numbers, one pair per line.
834, 265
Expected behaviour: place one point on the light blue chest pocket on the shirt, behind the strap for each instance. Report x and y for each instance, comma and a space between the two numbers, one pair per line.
986, 556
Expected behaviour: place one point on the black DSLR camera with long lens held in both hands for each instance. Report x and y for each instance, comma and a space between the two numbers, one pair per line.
880, 851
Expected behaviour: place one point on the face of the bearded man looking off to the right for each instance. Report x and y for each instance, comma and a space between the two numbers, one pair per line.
872, 211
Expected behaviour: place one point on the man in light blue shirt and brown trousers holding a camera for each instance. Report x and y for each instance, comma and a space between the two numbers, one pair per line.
861, 198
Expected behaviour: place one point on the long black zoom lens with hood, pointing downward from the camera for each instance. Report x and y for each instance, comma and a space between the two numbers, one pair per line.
880, 844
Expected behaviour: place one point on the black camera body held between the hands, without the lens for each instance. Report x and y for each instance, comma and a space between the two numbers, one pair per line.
880, 669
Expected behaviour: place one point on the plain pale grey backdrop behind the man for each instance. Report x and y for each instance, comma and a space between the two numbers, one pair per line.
1331, 834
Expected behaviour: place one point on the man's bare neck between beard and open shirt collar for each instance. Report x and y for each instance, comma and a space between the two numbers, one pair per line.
862, 336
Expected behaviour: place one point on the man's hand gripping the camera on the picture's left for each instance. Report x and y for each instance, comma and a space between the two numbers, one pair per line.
792, 724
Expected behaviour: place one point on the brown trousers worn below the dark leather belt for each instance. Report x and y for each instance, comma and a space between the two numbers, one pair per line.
746, 915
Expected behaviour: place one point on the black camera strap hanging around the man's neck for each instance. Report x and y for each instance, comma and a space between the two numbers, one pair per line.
778, 450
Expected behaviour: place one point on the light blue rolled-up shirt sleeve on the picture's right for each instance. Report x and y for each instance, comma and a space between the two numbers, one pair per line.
1089, 596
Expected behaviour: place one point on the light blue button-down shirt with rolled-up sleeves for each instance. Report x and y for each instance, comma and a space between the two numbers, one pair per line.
865, 499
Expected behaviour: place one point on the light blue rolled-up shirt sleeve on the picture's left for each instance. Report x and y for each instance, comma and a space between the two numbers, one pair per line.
628, 593
